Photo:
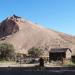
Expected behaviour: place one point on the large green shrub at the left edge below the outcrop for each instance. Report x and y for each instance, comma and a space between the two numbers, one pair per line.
6, 51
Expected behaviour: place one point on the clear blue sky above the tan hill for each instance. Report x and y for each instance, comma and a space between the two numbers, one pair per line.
55, 14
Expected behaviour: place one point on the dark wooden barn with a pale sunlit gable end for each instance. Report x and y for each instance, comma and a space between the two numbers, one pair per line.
59, 54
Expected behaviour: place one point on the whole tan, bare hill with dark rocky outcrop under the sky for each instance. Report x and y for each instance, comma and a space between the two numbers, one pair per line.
24, 35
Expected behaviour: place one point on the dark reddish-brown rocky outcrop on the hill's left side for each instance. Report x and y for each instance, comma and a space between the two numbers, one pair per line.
9, 26
